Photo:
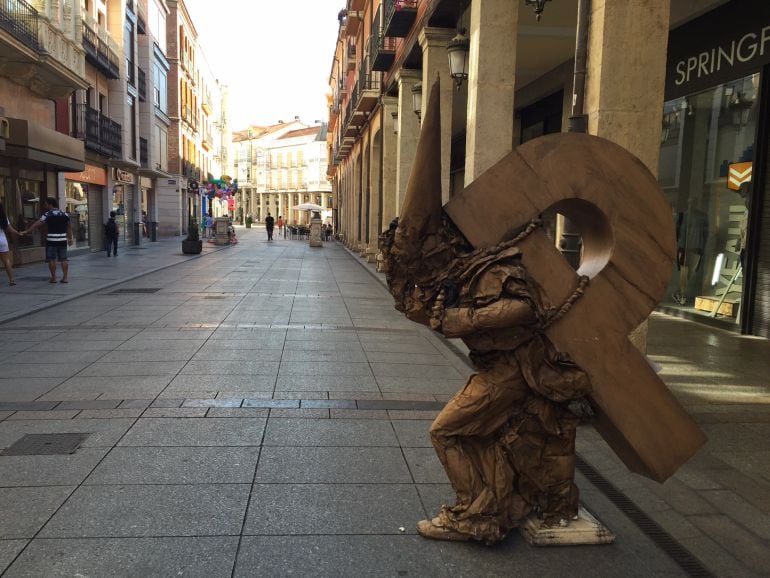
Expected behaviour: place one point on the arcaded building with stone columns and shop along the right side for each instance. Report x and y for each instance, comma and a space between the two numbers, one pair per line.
690, 101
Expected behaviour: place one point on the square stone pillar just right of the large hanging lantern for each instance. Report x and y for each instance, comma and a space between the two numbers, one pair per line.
491, 83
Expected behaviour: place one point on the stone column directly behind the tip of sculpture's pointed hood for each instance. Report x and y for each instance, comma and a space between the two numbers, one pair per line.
435, 63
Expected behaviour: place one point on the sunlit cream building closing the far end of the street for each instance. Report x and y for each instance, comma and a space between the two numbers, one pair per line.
279, 167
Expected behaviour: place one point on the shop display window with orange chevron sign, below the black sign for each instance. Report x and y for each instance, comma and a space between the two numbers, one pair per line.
706, 159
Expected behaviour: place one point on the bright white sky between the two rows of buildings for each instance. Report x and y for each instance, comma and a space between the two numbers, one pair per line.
275, 55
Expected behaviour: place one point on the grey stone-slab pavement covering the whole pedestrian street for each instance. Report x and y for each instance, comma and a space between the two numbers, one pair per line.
262, 410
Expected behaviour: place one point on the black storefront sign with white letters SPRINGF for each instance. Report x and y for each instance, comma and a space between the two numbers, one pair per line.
729, 42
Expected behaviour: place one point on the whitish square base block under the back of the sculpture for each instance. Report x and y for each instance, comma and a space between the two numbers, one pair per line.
584, 530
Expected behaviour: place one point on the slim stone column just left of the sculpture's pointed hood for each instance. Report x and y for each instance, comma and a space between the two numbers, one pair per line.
408, 132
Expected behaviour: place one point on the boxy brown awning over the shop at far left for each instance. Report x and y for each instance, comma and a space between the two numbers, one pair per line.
43, 148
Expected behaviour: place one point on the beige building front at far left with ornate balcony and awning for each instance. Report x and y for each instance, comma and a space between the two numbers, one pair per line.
41, 47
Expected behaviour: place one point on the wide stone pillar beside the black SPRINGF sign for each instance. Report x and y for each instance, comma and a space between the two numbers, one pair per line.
625, 82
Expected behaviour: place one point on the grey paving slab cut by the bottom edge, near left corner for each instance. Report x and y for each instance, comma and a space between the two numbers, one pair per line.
201, 557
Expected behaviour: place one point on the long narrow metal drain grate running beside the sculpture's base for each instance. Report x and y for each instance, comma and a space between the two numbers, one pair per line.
678, 553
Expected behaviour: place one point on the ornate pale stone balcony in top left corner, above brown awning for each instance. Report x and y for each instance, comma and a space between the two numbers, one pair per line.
38, 54
